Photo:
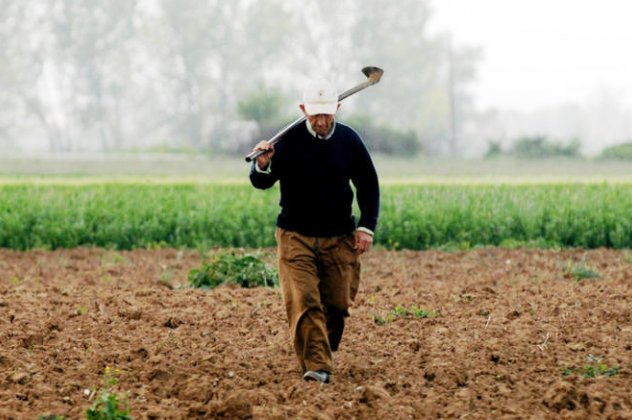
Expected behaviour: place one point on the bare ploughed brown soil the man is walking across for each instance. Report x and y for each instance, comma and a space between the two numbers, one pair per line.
510, 322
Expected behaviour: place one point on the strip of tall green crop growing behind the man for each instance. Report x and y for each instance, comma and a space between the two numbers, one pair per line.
131, 214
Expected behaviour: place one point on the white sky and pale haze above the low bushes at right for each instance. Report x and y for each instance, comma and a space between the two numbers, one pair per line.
556, 68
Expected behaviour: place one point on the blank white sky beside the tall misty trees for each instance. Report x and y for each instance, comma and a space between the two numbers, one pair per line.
541, 53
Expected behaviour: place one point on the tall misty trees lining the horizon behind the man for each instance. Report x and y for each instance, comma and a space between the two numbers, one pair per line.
217, 75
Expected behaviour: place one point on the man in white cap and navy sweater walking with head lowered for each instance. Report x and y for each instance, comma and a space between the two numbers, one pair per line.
318, 241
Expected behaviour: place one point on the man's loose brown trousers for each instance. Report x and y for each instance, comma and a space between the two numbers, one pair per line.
319, 278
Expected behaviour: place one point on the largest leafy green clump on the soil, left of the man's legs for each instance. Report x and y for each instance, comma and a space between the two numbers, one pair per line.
224, 268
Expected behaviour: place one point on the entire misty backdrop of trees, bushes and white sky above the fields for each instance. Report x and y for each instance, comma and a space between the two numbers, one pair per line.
462, 79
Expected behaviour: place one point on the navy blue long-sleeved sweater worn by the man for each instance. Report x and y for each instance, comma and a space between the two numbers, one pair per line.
314, 175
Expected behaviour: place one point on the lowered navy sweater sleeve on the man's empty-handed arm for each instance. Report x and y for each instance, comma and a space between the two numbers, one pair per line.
367, 187
